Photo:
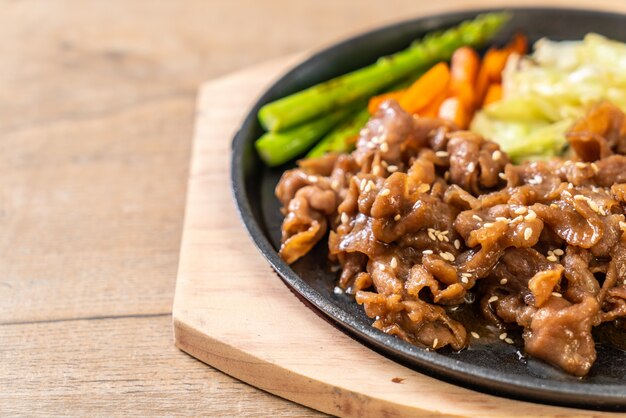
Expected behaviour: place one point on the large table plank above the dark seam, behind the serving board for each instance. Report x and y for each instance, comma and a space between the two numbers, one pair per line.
96, 112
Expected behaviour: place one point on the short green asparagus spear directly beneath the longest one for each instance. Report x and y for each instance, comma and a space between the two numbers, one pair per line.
276, 148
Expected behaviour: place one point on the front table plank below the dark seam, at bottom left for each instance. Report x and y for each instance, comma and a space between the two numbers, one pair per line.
117, 367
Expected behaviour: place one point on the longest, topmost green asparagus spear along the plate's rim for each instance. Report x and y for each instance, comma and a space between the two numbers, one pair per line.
314, 101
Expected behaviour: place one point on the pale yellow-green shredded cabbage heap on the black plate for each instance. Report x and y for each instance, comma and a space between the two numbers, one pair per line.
544, 93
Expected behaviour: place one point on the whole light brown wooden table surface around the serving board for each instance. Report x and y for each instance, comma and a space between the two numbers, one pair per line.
96, 117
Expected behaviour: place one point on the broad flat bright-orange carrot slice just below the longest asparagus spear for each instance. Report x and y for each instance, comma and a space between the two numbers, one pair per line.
426, 88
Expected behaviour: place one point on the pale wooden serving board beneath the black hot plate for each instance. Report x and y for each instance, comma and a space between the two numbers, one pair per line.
233, 312
